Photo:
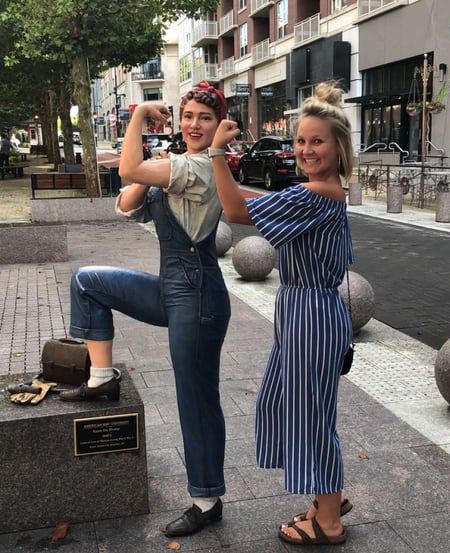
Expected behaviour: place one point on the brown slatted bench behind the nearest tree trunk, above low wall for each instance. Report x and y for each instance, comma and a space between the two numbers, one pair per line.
68, 181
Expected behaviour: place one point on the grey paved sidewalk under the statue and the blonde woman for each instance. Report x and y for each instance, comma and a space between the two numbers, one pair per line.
396, 476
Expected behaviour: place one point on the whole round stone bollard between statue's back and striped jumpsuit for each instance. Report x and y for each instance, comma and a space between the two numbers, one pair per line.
254, 258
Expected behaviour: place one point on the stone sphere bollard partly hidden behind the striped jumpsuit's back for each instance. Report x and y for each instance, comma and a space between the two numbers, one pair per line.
362, 299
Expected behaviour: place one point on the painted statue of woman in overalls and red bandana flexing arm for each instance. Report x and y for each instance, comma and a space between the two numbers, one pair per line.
189, 297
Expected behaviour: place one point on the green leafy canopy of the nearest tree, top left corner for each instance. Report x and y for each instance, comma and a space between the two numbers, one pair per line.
106, 32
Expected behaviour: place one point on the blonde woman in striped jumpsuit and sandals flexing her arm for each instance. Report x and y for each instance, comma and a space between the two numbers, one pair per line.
307, 223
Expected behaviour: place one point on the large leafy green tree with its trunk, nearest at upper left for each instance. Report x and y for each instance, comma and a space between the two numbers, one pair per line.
88, 36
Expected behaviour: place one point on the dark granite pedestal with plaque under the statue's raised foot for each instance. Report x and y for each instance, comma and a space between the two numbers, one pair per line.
54, 469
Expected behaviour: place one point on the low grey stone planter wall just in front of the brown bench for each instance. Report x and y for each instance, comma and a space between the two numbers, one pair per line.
65, 210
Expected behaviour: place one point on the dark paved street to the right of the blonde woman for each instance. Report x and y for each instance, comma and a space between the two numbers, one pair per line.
408, 268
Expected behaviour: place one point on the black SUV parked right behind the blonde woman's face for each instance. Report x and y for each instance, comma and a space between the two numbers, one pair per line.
271, 163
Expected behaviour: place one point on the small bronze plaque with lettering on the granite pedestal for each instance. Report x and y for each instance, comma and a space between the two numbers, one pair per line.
106, 434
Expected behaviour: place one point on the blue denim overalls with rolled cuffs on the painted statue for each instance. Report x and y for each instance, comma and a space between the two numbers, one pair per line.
190, 298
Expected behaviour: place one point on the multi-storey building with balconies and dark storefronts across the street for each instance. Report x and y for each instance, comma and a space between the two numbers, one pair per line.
267, 55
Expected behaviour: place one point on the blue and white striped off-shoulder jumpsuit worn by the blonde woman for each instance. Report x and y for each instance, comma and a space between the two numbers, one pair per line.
296, 406
